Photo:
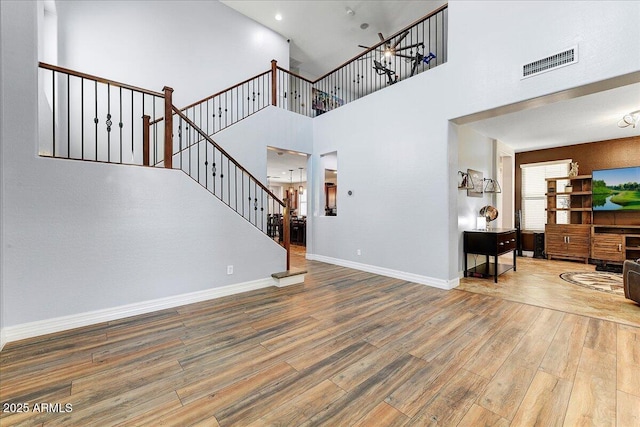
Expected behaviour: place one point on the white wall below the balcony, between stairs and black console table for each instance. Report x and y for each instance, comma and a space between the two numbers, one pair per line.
392, 154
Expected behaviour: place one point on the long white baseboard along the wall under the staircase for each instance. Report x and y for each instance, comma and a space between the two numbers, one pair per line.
48, 326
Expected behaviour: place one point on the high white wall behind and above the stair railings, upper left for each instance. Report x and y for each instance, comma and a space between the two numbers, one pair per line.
196, 47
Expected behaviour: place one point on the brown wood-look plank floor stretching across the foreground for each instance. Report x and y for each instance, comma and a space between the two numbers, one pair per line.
346, 348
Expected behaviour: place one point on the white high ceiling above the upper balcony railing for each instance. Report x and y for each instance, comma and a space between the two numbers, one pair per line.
323, 35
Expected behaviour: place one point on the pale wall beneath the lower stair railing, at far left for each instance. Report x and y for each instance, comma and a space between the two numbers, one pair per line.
79, 237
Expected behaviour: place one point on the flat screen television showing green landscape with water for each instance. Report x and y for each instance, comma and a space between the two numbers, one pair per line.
616, 189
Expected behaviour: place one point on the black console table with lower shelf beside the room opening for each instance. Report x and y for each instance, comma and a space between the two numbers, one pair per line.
491, 242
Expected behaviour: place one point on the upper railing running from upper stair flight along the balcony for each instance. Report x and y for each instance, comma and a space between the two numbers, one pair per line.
411, 51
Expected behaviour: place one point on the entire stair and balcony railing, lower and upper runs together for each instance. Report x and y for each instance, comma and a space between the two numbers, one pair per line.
95, 119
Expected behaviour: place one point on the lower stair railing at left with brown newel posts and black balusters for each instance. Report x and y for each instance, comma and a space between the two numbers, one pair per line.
100, 120
